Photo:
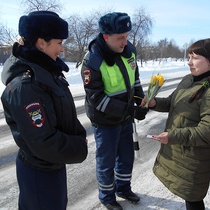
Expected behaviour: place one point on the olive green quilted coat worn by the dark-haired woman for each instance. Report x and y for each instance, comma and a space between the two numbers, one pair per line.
183, 165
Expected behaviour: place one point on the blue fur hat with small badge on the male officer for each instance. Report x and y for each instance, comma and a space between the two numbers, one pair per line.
115, 23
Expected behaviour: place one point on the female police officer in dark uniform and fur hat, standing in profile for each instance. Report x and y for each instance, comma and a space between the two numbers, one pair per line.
40, 112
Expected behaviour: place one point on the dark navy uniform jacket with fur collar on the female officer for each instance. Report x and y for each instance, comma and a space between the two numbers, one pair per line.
40, 110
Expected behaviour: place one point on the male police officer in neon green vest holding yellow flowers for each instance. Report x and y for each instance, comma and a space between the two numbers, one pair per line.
111, 80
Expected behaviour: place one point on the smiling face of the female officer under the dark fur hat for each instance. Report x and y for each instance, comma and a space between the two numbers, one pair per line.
52, 48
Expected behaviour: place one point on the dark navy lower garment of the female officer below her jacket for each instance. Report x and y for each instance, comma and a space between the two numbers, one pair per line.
41, 190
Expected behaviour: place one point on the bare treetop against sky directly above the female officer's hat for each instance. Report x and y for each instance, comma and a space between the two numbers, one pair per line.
37, 5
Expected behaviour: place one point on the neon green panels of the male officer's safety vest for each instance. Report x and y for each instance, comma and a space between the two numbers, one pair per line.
112, 77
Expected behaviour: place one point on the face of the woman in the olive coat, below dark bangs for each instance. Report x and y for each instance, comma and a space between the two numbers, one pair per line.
198, 64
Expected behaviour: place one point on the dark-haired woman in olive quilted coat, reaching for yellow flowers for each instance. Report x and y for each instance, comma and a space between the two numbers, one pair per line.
183, 162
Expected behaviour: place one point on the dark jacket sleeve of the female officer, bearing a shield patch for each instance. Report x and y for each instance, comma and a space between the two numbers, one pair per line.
30, 113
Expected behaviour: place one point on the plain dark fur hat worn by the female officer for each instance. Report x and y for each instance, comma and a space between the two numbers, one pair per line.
43, 24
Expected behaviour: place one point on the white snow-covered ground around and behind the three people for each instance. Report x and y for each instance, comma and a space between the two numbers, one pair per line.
153, 194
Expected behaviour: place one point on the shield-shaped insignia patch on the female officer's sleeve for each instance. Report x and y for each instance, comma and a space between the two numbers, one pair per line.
36, 114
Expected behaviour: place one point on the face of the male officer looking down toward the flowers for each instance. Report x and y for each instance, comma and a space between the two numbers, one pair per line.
116, 42
